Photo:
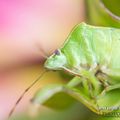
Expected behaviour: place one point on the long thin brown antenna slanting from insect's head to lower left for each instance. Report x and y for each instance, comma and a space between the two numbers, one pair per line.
25, 91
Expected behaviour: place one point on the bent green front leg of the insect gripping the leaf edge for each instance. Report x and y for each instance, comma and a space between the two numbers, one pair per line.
86, 85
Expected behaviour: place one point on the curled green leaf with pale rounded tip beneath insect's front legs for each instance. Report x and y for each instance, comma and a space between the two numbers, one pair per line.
60, 97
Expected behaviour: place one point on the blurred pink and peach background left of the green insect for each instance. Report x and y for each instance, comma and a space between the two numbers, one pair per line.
26, 26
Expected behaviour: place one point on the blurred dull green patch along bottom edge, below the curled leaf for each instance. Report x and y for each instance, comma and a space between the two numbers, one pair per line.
76, 112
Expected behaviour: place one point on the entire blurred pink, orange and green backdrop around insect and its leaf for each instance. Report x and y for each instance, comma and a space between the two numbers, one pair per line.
31, 29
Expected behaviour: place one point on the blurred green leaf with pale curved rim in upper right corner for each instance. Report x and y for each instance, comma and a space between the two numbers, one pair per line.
103, 12
